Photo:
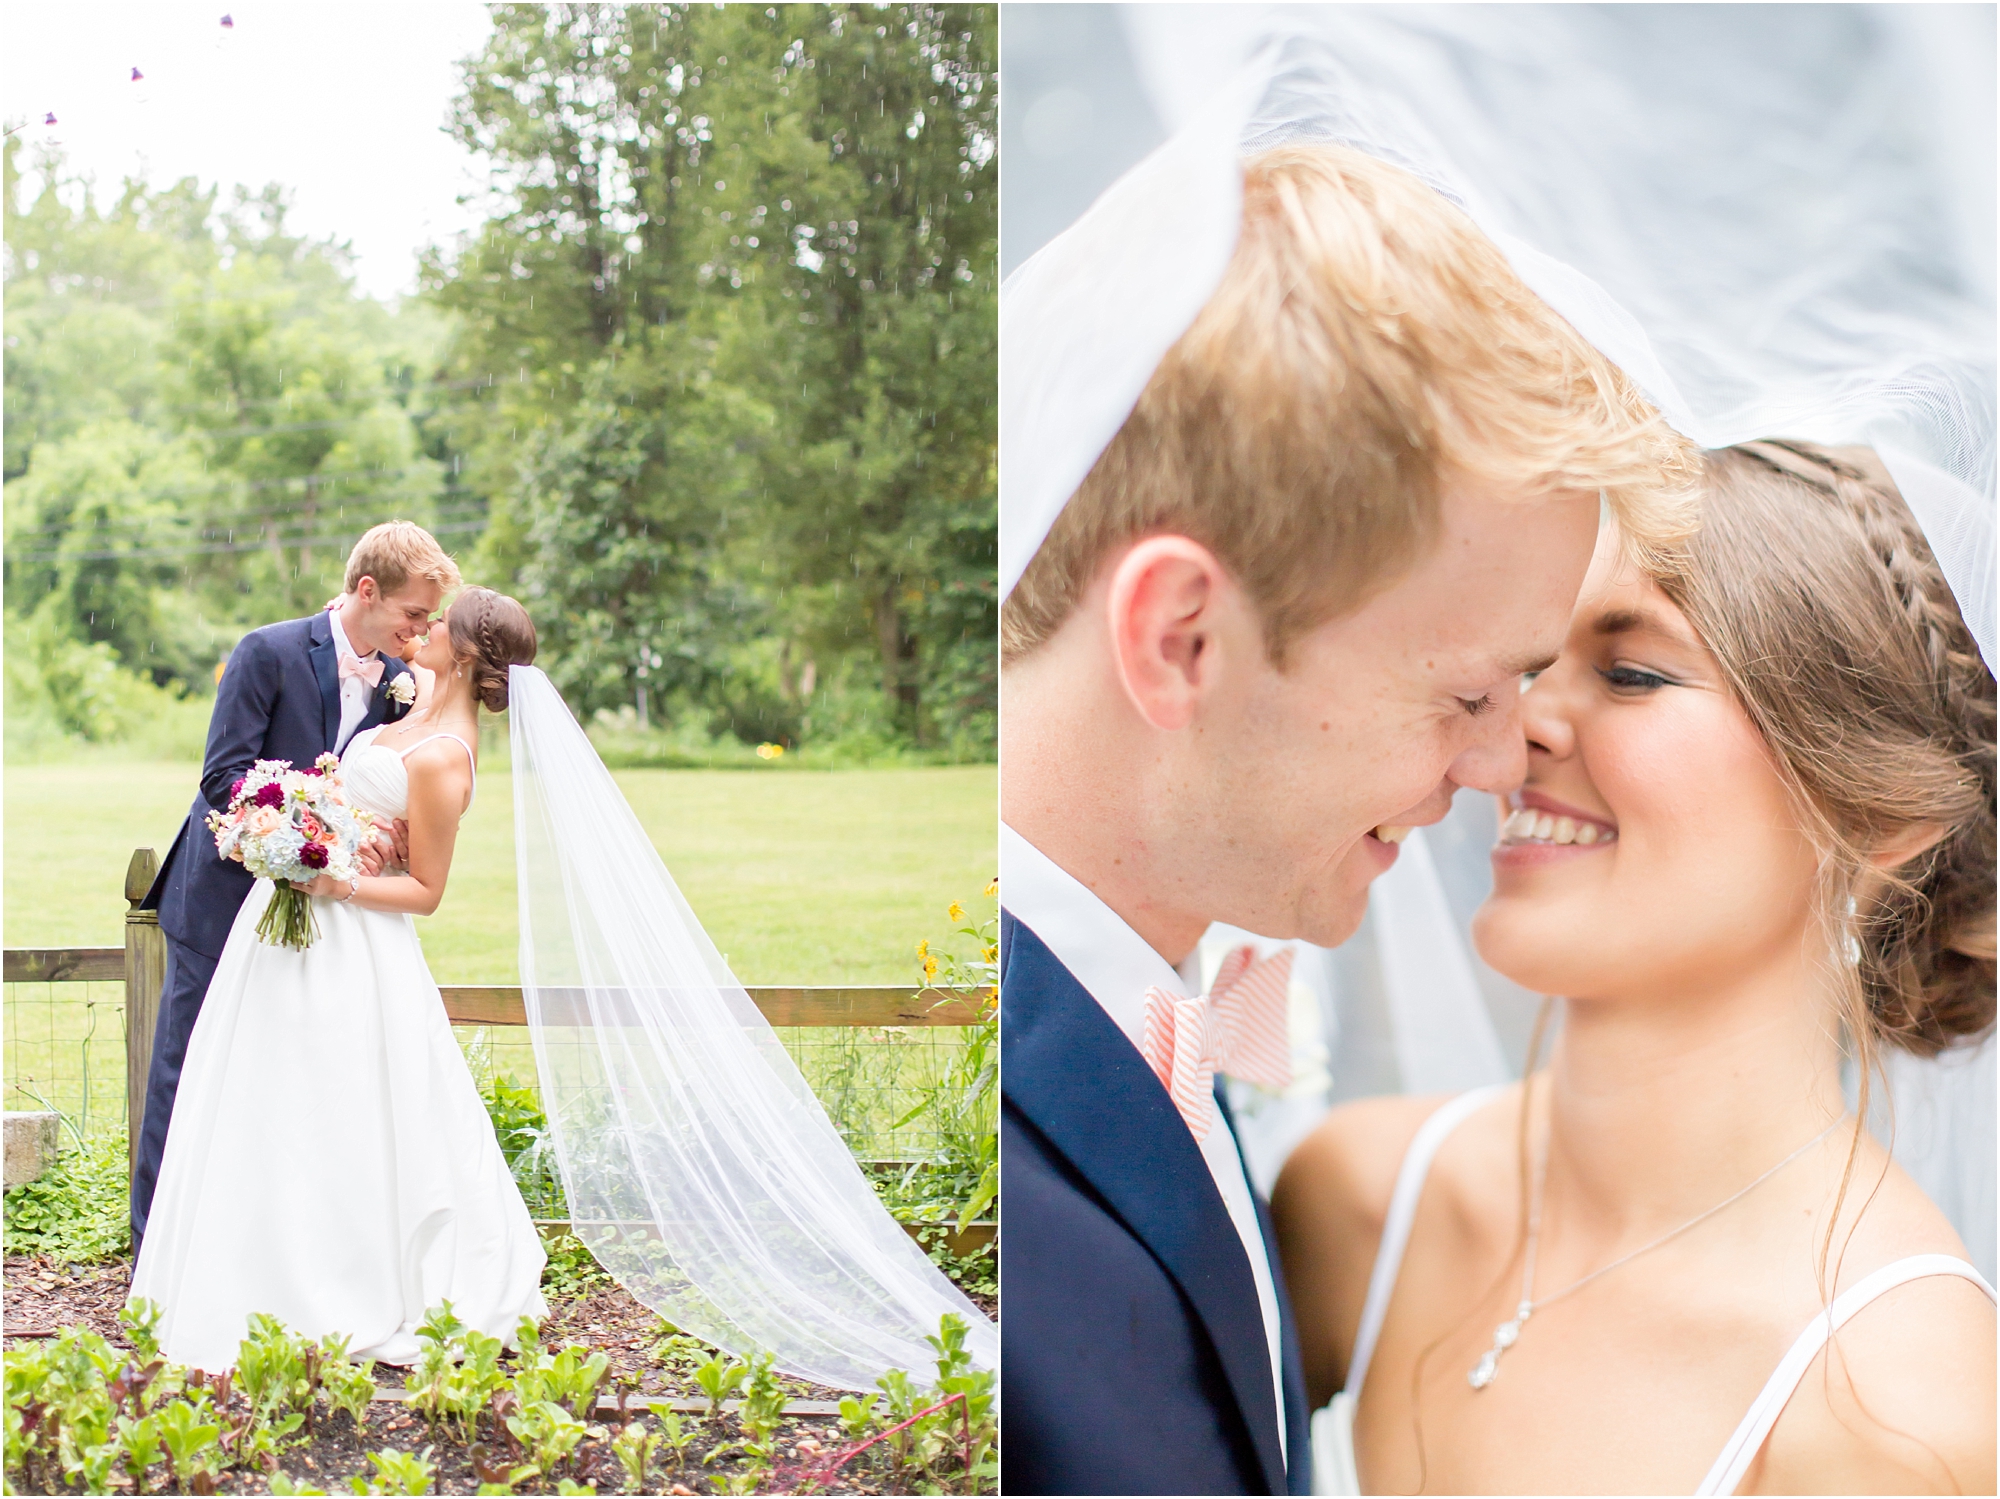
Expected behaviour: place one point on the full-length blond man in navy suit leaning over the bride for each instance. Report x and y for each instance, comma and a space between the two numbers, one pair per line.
295, 693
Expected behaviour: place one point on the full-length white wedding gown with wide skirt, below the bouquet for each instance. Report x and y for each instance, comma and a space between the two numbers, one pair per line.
331, 1162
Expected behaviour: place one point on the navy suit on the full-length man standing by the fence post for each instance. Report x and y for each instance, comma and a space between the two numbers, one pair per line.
279, 701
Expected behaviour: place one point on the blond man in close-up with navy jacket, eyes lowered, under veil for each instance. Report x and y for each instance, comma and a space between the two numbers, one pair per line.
1281, 623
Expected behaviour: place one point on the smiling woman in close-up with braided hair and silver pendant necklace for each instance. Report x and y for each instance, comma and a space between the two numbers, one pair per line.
1757, 834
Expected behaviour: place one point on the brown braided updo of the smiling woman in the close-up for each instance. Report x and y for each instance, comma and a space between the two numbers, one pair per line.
1835, 627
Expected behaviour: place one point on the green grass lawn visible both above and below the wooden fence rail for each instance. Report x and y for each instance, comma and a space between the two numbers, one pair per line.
799, 876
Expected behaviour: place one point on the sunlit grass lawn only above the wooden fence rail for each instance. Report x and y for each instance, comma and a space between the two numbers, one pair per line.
799, 876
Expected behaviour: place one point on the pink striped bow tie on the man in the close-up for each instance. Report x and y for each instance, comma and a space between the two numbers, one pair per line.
1241, 1026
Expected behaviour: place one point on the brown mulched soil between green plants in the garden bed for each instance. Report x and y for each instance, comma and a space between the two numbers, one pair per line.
647, 1364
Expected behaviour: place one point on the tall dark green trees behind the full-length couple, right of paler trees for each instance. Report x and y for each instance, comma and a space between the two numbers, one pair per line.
739, 287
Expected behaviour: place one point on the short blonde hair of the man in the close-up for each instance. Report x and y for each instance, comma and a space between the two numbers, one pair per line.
1365, 343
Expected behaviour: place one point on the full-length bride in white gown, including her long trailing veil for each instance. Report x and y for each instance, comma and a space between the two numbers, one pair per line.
331, 1162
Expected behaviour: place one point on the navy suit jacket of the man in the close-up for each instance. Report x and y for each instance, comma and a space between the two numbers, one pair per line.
1133, 1346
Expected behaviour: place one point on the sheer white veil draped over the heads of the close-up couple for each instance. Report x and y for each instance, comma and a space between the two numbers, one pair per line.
1775, 219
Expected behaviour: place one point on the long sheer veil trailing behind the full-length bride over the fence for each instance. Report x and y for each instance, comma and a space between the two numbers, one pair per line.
699, 1168
